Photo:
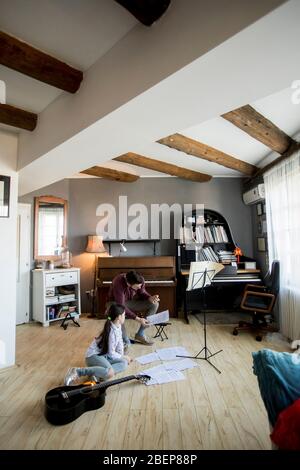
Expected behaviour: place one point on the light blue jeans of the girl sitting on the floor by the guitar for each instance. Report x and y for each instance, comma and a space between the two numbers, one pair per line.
99, 366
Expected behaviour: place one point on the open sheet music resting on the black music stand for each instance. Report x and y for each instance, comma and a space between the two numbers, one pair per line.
197, 279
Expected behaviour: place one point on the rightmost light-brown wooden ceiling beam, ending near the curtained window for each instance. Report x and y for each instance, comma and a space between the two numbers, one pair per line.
259, 127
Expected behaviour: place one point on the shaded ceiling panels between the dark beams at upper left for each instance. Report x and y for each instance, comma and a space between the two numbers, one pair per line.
77, 32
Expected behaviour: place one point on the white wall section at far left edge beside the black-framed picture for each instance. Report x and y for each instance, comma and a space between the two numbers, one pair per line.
8, 234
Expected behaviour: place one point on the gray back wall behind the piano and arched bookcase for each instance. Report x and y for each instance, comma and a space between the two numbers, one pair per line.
84, 195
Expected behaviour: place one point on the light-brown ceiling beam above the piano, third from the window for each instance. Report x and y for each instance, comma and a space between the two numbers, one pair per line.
163, 167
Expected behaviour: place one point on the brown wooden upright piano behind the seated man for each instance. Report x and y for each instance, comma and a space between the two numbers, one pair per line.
159, 273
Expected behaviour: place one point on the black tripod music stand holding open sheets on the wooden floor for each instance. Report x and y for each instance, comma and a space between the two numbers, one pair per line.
201, 275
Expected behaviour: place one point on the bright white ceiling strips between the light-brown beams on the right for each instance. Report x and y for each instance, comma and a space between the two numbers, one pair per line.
224, 136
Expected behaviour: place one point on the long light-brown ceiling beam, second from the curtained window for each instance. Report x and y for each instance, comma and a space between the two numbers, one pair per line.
200, 150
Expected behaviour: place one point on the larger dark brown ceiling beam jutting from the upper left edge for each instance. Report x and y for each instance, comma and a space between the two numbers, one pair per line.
30, 61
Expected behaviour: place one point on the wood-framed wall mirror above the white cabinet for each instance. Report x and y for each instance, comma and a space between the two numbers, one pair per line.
50, 225
